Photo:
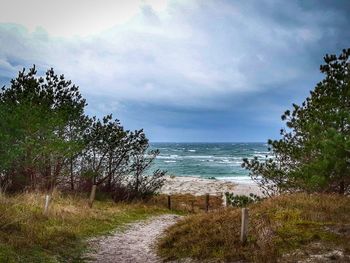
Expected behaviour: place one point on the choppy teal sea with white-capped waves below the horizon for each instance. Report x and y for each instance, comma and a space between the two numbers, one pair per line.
219, 160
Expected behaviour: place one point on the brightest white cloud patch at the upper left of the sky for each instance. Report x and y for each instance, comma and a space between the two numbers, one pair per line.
78, 17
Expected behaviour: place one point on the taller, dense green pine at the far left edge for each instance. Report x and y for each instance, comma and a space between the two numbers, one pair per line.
36, 113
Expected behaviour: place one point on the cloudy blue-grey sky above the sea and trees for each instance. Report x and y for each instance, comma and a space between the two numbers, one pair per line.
184, 71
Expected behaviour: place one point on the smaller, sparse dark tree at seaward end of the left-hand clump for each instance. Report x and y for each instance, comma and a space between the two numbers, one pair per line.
115, 159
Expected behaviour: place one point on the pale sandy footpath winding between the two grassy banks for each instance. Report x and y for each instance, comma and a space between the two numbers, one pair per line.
132, 245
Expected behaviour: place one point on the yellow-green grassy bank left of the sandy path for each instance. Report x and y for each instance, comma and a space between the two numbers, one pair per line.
26, 235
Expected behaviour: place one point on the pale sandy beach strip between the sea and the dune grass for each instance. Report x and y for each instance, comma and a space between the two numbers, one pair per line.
201, 186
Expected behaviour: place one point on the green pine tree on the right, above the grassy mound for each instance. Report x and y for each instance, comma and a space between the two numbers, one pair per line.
314, 151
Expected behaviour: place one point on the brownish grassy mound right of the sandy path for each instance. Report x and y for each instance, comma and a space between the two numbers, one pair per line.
285, 229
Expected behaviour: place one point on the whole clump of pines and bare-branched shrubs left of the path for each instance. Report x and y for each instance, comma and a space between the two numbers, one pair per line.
46, 140
